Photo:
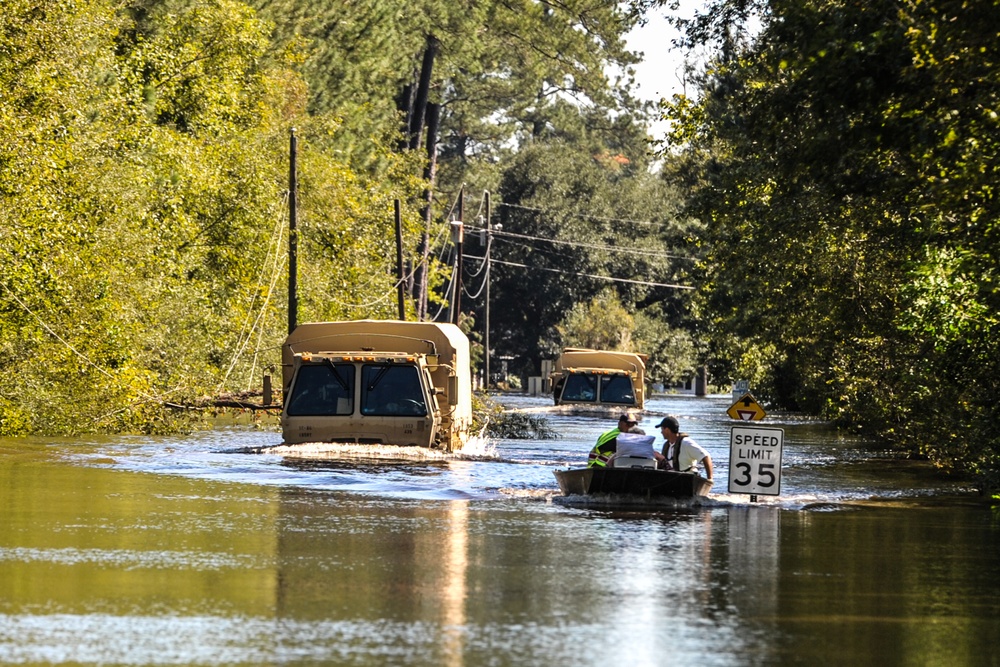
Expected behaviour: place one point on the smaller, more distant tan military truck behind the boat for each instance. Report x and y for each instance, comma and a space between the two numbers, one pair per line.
599, 378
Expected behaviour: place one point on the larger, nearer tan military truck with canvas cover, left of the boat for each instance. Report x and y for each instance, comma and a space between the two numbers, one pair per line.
377, 382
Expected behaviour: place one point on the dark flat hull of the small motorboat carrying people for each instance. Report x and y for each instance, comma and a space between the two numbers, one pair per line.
643, 482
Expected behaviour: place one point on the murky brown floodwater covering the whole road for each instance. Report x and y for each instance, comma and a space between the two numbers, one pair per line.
196, 550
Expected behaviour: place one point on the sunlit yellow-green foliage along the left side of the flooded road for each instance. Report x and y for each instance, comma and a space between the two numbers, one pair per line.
143, 185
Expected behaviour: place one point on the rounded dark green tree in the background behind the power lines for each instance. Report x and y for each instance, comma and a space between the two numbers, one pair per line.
574, 222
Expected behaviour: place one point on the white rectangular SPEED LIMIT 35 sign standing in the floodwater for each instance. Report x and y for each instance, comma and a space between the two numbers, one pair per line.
755, 460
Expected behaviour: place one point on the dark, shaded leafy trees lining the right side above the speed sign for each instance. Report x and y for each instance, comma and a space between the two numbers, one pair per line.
842, 159
